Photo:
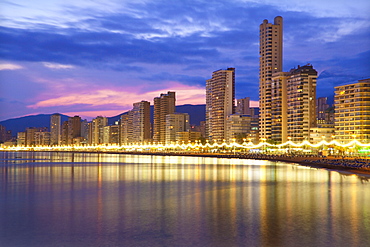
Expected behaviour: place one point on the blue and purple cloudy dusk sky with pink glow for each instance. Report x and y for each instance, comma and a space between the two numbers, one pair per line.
91, 58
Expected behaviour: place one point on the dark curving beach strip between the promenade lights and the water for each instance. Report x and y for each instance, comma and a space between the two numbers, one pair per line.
350, 165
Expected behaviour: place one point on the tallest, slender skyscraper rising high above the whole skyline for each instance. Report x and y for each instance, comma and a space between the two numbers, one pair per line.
271, 61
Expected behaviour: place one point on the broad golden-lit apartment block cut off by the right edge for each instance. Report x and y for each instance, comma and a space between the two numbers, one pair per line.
352, 112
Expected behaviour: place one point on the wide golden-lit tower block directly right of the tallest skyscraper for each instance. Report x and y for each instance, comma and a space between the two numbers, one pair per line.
293, 105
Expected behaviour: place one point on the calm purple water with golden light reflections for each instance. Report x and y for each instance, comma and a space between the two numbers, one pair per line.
60, 199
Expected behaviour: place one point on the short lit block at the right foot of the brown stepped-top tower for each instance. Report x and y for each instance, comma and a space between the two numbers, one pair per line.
176, 122
